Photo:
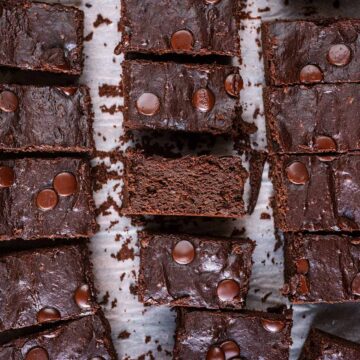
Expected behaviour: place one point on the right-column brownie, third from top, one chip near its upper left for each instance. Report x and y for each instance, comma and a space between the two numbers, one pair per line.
316, 193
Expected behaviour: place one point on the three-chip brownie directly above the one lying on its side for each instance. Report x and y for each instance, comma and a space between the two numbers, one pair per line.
170, 96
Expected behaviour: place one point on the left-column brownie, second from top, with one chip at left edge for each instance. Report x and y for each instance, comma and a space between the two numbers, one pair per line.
45, 119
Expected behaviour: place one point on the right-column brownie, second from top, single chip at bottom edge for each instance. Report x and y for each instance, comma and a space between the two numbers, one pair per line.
313, 119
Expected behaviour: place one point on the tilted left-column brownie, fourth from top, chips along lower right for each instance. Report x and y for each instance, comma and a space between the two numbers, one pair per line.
42, 285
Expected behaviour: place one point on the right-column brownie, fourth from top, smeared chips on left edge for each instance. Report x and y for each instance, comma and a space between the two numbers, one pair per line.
312, 261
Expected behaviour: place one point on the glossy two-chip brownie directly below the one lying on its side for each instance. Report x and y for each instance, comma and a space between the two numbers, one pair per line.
185, 270
